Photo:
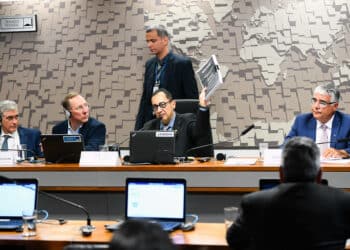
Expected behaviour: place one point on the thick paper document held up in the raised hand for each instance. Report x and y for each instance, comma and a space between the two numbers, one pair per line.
210, 76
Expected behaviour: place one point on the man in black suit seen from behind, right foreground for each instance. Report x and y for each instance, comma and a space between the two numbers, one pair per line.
299, 213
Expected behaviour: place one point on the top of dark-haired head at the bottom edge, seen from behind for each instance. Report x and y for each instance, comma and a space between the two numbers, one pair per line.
141, 235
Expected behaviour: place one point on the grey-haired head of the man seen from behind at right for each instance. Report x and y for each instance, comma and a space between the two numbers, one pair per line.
300, 160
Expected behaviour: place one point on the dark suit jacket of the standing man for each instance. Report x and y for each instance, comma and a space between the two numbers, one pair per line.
178, 78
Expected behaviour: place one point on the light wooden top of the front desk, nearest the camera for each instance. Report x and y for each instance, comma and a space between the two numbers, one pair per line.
54, 237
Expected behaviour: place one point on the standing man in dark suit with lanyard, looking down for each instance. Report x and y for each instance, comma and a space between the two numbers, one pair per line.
166, 70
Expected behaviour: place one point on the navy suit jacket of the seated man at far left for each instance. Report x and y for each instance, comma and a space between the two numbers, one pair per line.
30, 137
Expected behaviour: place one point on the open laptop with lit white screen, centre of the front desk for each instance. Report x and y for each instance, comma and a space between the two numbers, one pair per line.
158, 200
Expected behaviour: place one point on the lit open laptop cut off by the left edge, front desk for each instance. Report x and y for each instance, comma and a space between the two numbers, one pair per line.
16, 195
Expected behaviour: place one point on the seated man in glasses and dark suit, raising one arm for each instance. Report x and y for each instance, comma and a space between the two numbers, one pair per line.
192, 130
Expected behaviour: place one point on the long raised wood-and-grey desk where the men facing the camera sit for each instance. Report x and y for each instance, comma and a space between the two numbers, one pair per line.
212, 176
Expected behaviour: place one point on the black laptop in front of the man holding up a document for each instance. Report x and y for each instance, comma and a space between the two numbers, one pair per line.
152, 146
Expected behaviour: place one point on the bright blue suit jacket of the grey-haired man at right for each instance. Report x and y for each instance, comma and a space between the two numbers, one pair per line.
305, 125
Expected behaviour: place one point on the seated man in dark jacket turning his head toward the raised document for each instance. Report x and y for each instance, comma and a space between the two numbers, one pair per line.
78, 121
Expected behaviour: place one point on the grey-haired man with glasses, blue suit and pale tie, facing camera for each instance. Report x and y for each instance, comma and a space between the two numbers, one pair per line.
327, 126
